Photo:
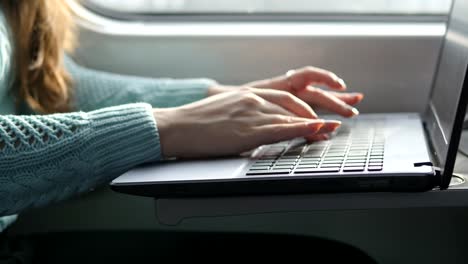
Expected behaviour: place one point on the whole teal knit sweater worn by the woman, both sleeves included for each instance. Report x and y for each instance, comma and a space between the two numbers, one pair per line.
48, 158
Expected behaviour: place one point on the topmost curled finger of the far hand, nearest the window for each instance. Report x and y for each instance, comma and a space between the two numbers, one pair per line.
304, 77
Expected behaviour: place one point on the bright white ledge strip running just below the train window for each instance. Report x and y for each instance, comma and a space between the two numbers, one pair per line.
94, 22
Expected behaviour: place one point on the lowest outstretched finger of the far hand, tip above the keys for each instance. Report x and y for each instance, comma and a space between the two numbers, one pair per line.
328, 101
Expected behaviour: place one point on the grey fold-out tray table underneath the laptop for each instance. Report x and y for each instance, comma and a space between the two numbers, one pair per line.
171, 211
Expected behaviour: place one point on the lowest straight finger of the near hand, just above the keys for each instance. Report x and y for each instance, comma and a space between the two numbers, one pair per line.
268, 134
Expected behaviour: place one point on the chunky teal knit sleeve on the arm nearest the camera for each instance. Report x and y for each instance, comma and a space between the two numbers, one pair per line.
48, 158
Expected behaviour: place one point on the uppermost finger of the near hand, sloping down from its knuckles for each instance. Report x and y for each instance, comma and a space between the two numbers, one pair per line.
287, 101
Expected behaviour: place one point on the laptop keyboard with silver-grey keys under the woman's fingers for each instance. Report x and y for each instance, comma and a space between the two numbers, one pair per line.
357, 151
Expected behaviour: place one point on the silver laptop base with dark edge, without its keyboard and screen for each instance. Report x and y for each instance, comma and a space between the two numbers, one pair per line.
407, 167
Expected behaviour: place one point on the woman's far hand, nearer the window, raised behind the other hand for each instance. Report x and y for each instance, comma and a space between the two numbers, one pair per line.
300, 83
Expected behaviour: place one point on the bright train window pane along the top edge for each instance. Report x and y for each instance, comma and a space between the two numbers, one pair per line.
245, 7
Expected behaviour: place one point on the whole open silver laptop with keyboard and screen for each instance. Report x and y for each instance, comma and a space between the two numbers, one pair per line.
372, 152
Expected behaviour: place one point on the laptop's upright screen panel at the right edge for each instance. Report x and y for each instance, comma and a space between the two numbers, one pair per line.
448, 82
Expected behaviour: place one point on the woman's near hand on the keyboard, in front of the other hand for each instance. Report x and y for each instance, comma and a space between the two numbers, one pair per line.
234, 122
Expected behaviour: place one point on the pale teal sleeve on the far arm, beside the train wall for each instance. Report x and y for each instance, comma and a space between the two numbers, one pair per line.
95, 89
